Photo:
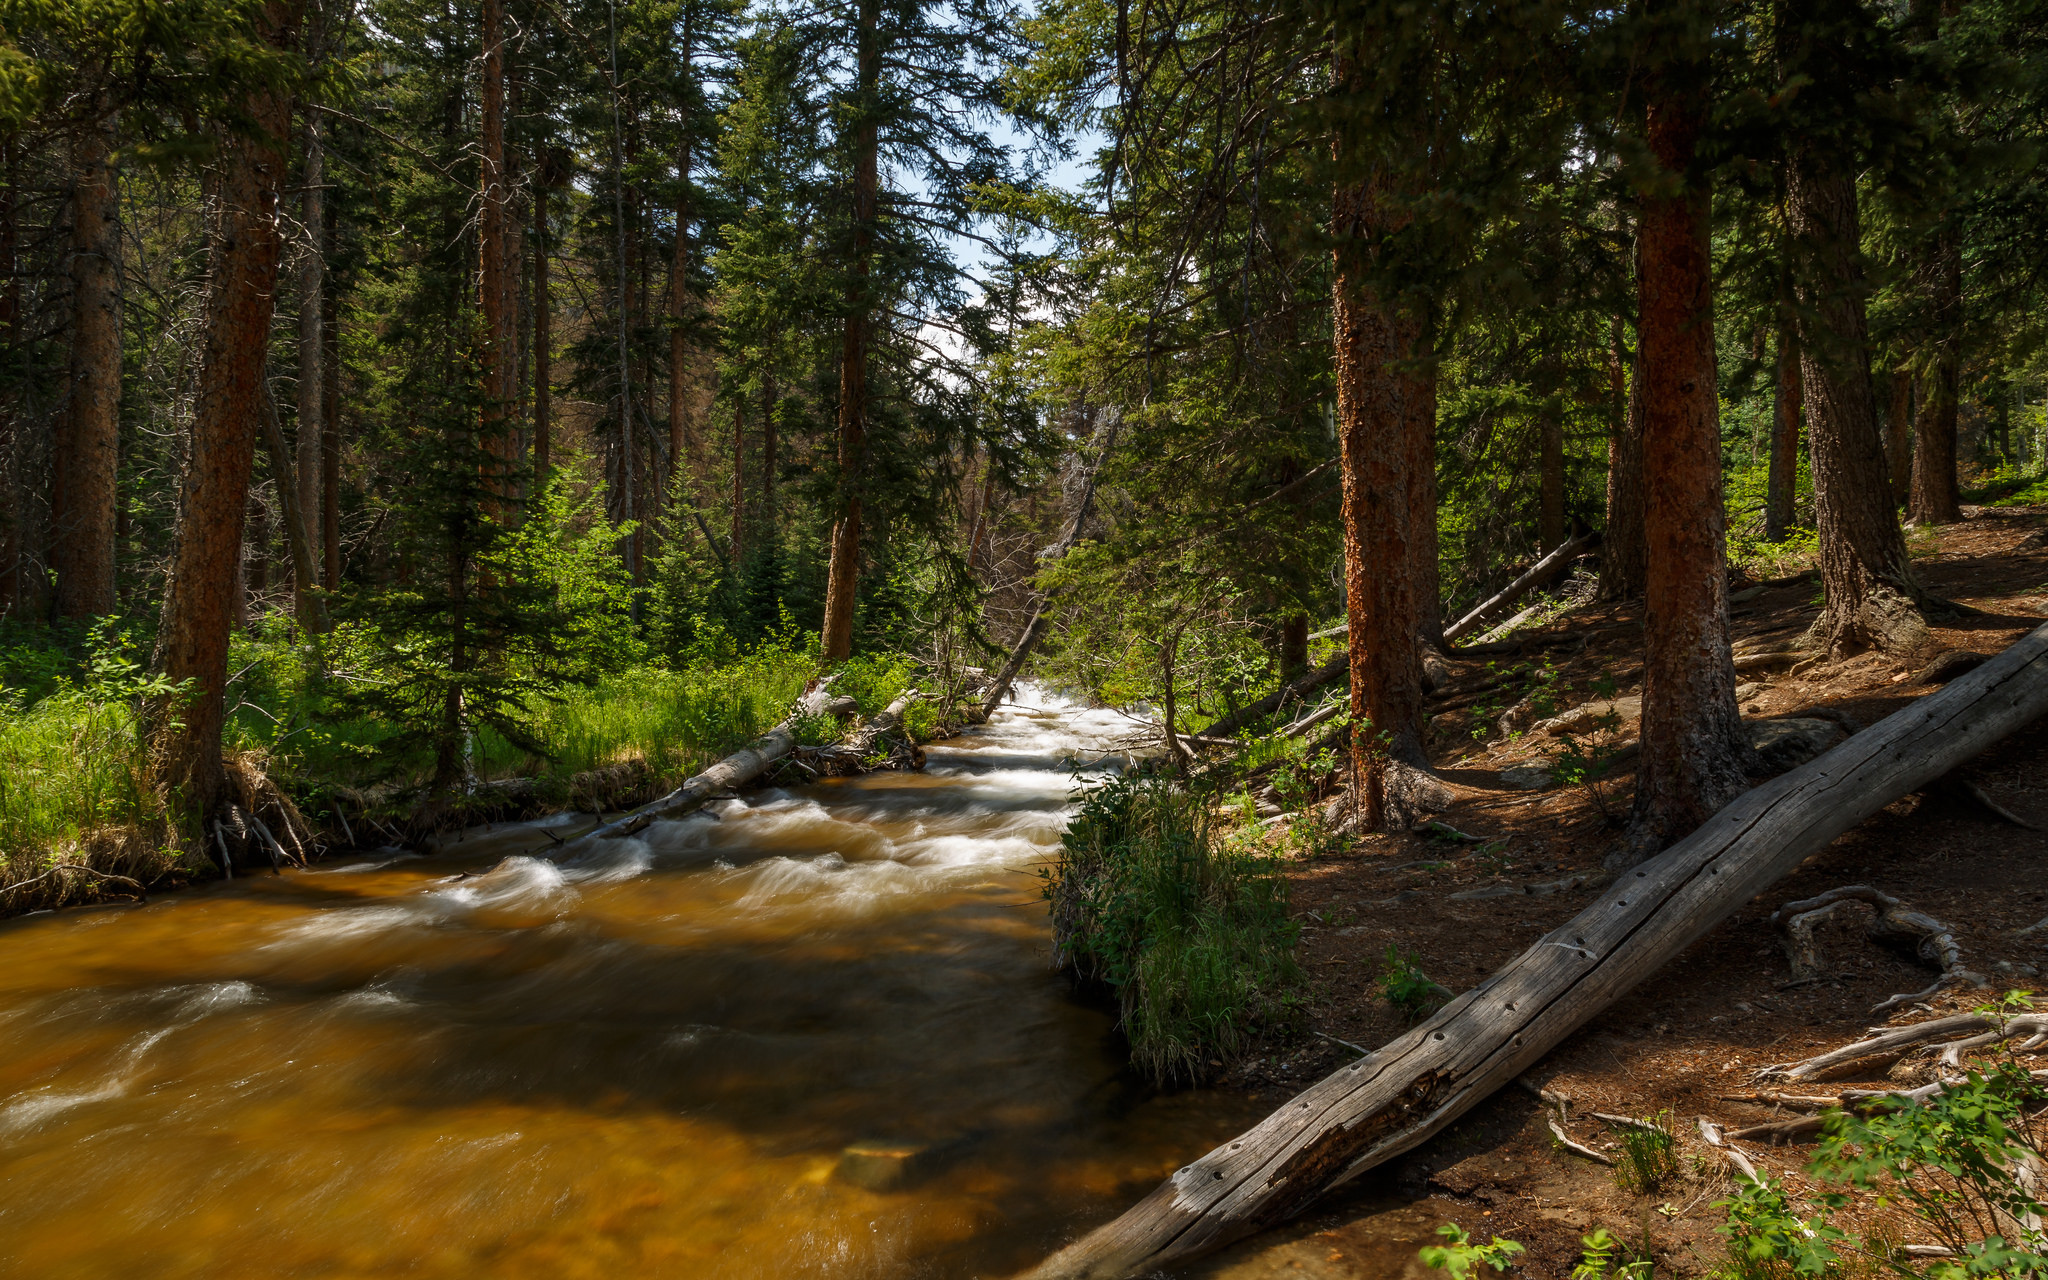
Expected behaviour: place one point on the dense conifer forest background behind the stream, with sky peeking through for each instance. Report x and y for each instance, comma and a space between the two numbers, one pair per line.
417, 394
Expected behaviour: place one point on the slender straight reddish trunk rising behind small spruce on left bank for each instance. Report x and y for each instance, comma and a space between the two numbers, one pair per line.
497, 282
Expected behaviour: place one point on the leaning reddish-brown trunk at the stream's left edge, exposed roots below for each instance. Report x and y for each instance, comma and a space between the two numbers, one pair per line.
185, 730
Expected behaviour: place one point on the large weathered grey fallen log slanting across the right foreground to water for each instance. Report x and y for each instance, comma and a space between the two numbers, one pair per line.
1418, 1084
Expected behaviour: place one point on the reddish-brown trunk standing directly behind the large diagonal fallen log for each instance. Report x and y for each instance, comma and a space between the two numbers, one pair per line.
1693, 732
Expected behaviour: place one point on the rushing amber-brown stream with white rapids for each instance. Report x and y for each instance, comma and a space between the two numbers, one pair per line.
648, 1062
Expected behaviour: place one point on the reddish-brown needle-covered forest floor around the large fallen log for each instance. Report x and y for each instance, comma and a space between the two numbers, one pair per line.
1691, 1037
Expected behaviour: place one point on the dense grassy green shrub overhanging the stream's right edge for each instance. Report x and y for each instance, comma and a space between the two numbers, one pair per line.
1191, 931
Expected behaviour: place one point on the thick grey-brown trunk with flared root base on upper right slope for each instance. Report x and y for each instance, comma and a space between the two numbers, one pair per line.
1873, 599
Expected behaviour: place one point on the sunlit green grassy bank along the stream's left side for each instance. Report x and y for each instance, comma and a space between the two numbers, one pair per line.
79, 818
